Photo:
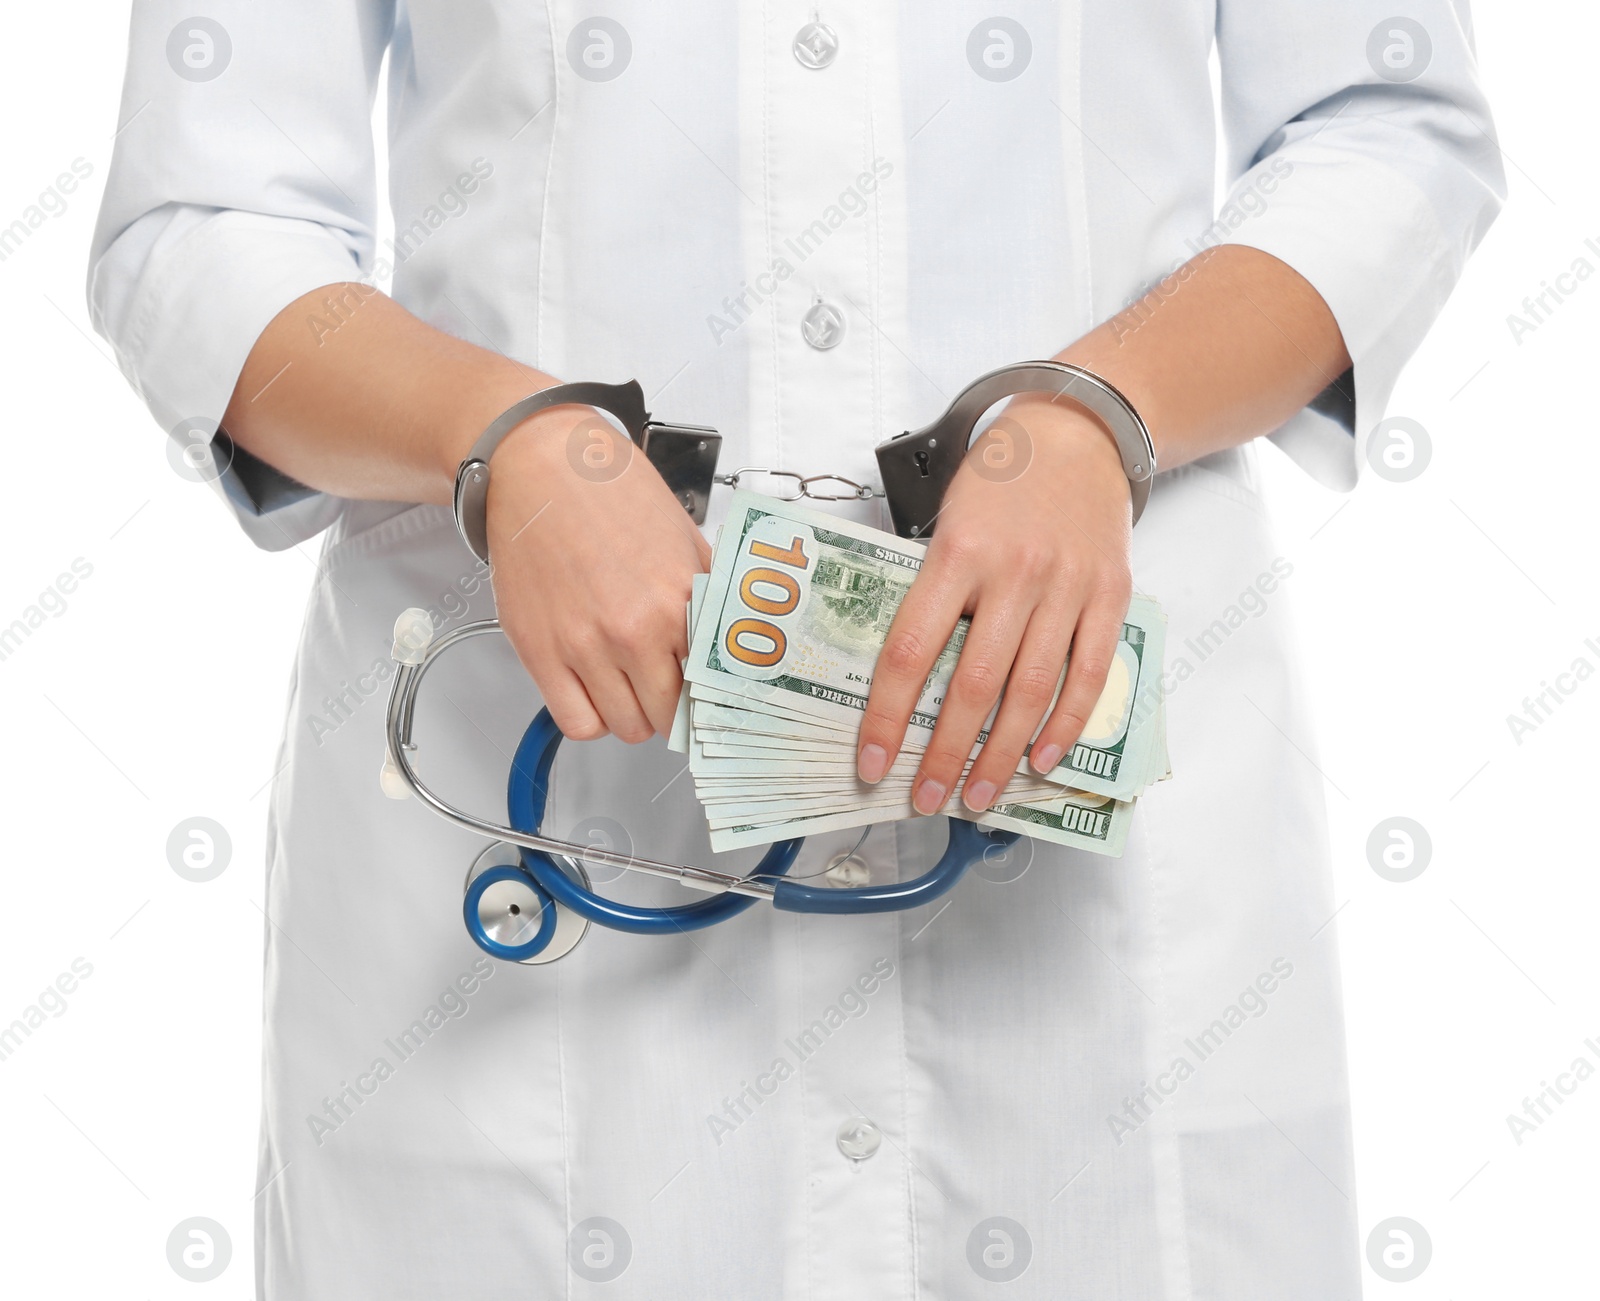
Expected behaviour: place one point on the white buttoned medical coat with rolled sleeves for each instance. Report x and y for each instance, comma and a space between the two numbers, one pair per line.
438, 1124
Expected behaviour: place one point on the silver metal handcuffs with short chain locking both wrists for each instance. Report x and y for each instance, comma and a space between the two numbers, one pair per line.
916, 466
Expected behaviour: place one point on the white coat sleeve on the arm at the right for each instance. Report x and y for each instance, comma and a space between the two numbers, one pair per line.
1362, 154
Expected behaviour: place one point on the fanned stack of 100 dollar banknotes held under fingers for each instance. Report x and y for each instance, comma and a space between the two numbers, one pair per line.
785, 634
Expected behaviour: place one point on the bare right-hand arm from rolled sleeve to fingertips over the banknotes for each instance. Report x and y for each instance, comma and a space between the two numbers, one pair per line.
1041, 561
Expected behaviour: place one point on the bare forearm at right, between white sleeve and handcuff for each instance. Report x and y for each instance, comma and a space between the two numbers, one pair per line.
1228, 350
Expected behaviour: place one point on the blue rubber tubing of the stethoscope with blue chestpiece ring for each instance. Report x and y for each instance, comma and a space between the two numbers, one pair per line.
527, 795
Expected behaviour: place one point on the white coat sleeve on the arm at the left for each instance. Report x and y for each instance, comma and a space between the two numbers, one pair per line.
230, 196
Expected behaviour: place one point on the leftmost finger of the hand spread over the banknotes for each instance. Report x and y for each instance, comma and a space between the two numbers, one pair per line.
922, 626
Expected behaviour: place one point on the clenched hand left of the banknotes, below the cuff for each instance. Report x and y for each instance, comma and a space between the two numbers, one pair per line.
593, 561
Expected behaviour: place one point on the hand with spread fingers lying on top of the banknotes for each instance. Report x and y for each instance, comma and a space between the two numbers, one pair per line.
1033, 543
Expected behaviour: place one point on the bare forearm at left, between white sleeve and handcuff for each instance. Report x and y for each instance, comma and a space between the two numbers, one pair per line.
382, 407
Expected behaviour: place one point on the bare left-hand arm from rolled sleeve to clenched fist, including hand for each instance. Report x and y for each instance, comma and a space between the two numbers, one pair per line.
593, 556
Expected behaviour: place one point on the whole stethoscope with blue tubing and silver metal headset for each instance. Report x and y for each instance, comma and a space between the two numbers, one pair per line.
529, 897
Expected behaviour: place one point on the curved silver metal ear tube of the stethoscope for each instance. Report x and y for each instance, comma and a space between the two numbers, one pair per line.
402, 705
